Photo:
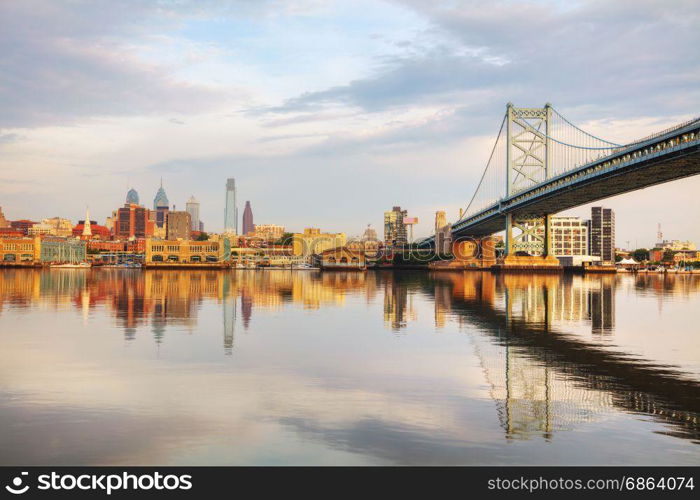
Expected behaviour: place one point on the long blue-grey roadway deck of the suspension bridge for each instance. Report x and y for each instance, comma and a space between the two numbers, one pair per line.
668, 156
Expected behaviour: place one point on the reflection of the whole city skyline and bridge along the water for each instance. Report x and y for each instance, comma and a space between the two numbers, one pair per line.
543, 372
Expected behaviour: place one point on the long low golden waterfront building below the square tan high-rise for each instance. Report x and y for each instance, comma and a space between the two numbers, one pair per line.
170, 252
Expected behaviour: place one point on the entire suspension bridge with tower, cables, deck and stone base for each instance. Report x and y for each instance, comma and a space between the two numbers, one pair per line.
541, 164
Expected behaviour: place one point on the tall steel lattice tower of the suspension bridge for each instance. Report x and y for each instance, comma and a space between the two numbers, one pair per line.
527, 163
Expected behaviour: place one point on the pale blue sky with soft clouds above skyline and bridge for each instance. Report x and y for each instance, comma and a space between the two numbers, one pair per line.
327, 112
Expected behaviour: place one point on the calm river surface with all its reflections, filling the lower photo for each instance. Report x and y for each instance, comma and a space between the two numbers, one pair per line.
279, 367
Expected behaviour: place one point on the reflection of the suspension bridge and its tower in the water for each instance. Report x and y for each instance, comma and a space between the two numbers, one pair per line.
544, 379
